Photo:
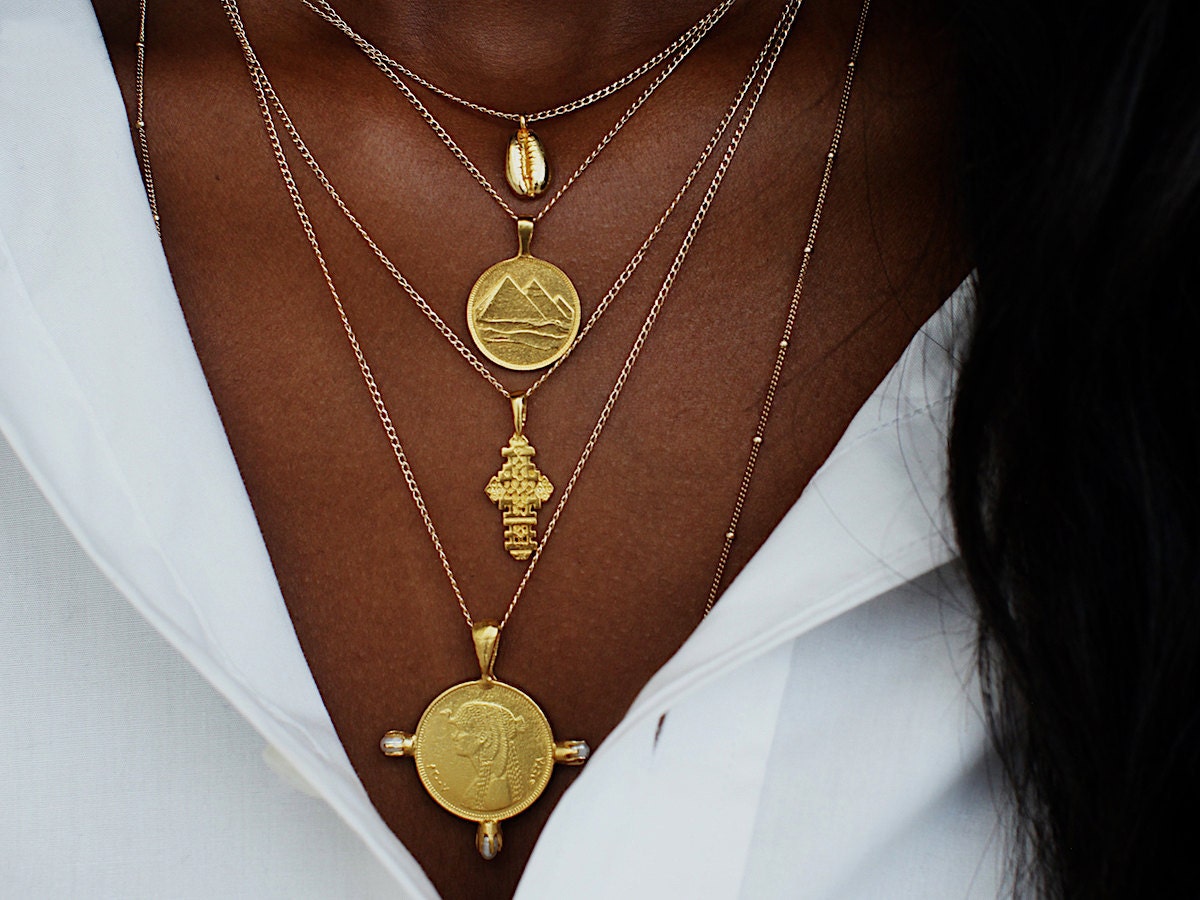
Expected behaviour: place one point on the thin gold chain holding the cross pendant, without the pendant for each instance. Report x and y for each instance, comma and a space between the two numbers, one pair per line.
447, 332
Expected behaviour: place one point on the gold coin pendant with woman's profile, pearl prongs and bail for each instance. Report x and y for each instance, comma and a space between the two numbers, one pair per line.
484, 749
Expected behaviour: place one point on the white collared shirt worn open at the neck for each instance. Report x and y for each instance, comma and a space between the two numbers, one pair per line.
161, 736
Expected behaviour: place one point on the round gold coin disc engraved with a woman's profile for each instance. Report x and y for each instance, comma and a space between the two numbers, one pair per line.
484, 751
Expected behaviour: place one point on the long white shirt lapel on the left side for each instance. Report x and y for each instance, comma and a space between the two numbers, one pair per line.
104, 400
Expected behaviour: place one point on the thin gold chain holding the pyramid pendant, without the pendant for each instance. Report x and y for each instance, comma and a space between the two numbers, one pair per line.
386, 65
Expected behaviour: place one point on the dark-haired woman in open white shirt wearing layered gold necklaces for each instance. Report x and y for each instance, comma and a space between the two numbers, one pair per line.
818, 735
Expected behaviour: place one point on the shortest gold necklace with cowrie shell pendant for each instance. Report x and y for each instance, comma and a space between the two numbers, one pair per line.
527, 170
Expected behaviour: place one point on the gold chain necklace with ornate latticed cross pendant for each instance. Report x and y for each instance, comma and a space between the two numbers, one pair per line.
519, 489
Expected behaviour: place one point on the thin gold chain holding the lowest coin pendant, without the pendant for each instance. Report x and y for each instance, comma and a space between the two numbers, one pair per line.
266, 105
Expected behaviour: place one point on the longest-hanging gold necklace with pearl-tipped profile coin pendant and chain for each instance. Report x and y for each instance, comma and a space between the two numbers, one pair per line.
499, 730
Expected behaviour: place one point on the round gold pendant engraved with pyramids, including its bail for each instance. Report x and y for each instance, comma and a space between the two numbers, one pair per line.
524, 313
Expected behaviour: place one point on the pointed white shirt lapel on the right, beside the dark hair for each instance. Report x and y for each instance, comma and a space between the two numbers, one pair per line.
873, 518
